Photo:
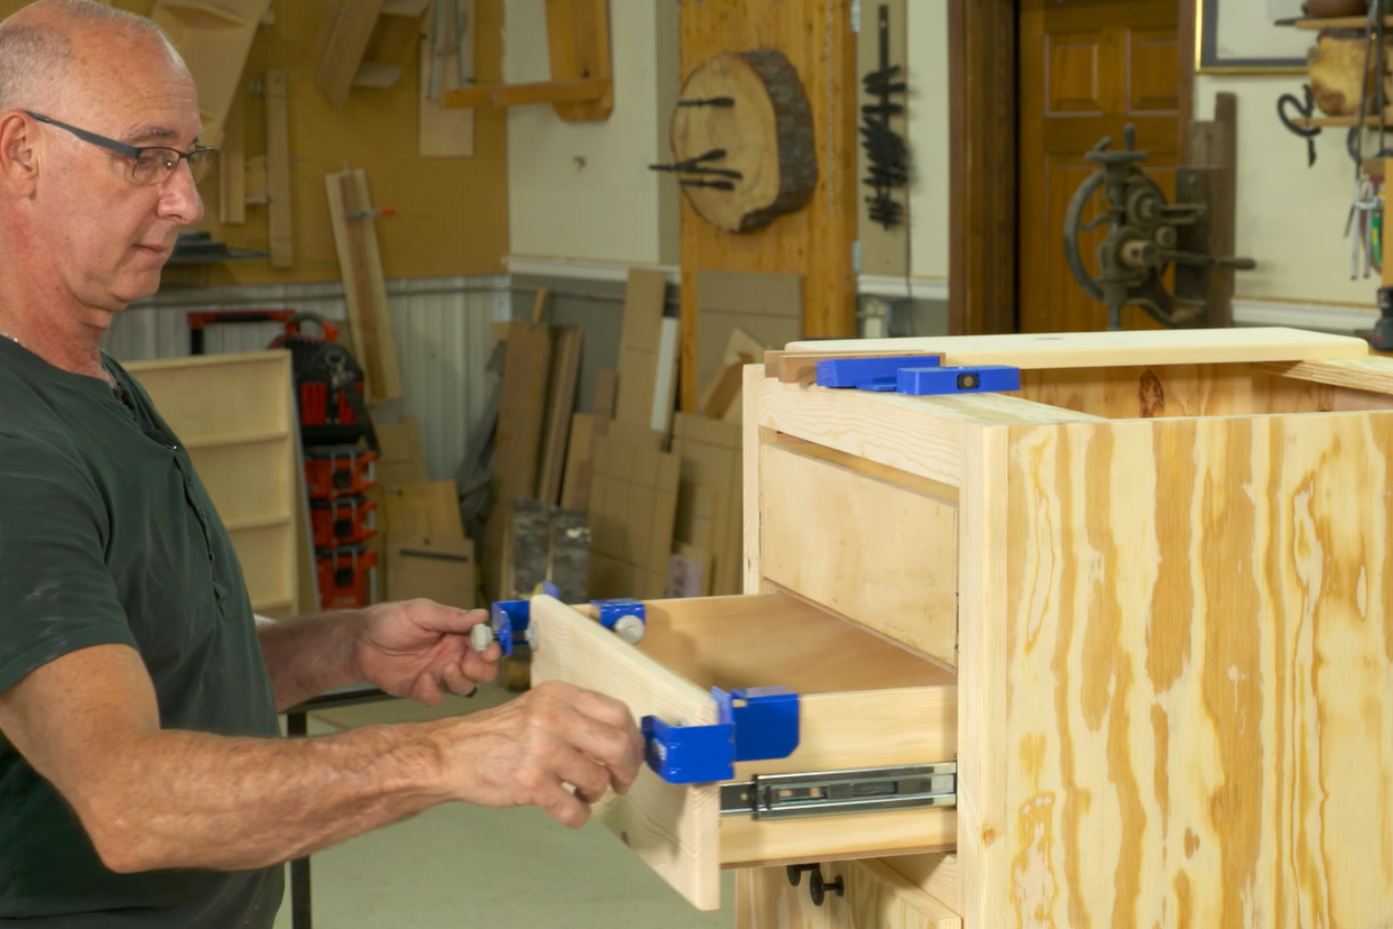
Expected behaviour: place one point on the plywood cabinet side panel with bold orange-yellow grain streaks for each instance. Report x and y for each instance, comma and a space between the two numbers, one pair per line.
1199, 664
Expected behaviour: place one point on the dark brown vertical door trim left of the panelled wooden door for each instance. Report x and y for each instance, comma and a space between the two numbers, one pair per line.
983, 166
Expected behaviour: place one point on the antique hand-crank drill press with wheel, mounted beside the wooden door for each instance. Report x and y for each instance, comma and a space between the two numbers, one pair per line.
1144, 237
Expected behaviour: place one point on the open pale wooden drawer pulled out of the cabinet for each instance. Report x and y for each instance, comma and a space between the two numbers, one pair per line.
864, 704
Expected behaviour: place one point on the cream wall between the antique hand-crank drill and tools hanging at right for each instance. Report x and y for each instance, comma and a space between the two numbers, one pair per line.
1289, 218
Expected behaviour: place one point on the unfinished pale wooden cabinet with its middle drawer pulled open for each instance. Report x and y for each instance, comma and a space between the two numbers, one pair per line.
1154, 588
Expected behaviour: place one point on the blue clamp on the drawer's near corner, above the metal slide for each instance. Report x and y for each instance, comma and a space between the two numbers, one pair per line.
754, 724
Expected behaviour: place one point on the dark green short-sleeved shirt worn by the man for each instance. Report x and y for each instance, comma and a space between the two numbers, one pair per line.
108, 537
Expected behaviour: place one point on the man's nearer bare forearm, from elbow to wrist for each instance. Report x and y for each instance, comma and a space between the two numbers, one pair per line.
192, 800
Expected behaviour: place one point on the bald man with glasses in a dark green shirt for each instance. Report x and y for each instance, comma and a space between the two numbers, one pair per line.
143, 781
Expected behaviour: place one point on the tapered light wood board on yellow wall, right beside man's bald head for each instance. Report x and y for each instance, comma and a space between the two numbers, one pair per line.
214, 41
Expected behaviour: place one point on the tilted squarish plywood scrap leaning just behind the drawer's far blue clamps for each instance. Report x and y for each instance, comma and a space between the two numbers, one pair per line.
633, 508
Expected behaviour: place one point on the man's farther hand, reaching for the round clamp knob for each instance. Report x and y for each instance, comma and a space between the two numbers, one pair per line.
421, 650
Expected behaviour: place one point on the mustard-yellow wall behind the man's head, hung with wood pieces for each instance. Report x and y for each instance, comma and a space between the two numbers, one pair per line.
451, 214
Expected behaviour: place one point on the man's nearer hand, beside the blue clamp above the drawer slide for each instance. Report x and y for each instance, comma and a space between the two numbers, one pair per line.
529, 751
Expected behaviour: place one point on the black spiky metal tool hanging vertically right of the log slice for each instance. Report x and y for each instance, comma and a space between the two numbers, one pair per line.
885, 148
